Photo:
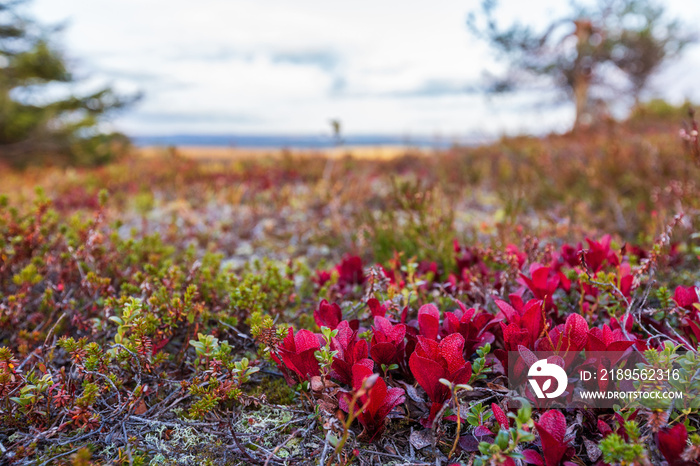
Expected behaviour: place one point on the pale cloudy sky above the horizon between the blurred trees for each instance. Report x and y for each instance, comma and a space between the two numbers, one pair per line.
289, 67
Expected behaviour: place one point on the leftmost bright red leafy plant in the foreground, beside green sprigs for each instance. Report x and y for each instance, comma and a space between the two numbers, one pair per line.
297, 353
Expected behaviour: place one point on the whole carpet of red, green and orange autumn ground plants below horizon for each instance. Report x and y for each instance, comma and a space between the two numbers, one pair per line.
271, 312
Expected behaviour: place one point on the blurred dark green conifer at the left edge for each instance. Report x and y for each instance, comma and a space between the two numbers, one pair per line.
35, 127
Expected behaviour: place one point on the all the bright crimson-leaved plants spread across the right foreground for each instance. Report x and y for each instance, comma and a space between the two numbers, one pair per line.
435, 347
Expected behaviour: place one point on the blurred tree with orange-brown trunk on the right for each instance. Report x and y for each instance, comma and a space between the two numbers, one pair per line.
589, 49
